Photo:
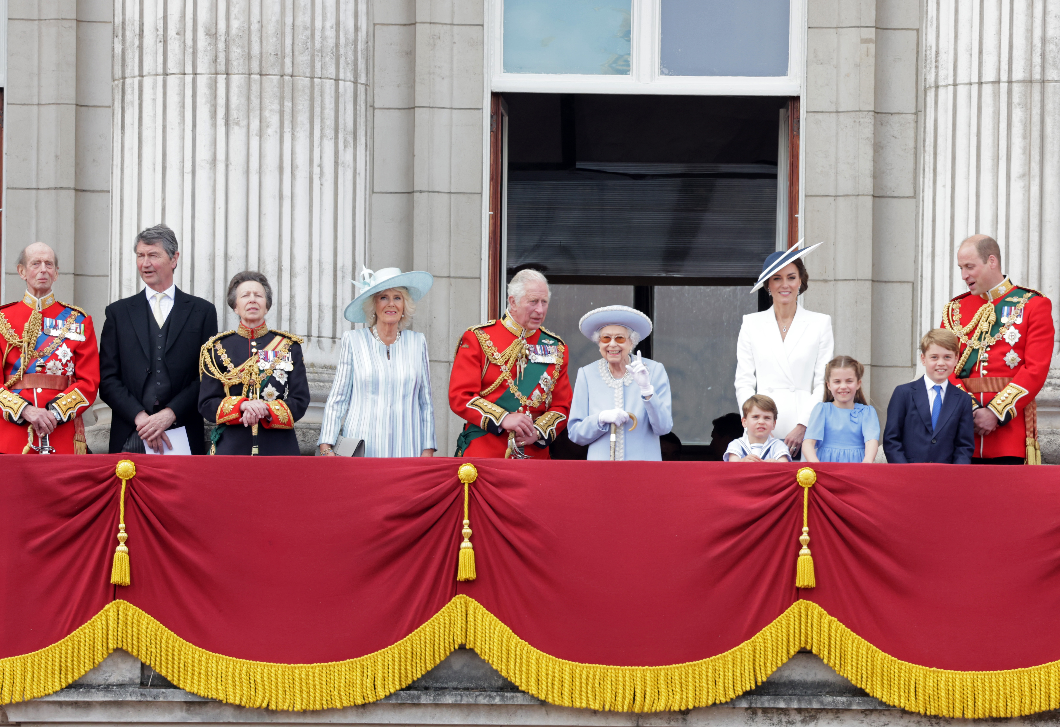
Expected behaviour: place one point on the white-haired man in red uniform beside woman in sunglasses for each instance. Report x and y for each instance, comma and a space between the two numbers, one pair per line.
510, 379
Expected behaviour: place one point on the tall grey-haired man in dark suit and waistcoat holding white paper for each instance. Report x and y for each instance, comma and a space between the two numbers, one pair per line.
150, 351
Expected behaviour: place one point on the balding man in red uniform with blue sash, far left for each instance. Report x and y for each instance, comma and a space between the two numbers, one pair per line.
50, 367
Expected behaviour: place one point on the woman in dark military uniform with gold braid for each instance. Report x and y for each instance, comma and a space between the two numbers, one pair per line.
254, 380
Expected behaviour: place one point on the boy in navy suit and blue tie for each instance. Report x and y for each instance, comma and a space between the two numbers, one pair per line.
930, 420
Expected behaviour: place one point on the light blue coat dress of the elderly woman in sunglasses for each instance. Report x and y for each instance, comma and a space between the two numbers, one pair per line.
596, 391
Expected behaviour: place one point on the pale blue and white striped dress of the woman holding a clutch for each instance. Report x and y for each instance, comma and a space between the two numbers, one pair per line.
385, 402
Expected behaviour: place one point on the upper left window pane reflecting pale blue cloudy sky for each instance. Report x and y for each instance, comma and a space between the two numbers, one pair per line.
568, 37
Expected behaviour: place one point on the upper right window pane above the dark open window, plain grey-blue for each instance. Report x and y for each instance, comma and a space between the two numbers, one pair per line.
726, 38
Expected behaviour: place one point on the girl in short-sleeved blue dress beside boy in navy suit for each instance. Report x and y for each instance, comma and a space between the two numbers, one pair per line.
844, 428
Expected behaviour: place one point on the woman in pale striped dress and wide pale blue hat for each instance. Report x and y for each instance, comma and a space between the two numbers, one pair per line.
382, 388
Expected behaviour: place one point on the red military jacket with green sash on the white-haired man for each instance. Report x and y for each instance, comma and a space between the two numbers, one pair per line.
501, 367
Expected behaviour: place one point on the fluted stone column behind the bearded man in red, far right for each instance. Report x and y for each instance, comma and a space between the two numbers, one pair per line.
991, 154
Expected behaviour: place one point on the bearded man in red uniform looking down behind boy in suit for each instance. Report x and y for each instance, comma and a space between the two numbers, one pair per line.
1006, 347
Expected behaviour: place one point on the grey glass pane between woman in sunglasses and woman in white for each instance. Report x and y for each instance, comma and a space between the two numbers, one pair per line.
695, 339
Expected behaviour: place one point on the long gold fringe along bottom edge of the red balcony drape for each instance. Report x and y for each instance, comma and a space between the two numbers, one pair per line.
720, 679
